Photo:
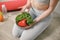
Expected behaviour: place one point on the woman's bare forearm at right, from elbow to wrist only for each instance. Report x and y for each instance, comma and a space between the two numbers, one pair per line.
43, 15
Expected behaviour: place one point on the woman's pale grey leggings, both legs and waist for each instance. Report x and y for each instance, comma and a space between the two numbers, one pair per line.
37, 29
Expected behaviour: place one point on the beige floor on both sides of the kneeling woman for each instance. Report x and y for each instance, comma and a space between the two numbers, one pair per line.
51, 33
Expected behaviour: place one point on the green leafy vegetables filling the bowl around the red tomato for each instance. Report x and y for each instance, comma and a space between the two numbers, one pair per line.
24, 15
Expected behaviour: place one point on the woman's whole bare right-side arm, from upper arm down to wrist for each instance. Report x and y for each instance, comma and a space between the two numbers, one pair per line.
46, 13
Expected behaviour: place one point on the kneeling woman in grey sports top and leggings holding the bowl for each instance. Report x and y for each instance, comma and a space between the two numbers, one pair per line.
41, 11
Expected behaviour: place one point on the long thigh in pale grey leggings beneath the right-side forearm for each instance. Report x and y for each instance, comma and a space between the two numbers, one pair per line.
32, 33
